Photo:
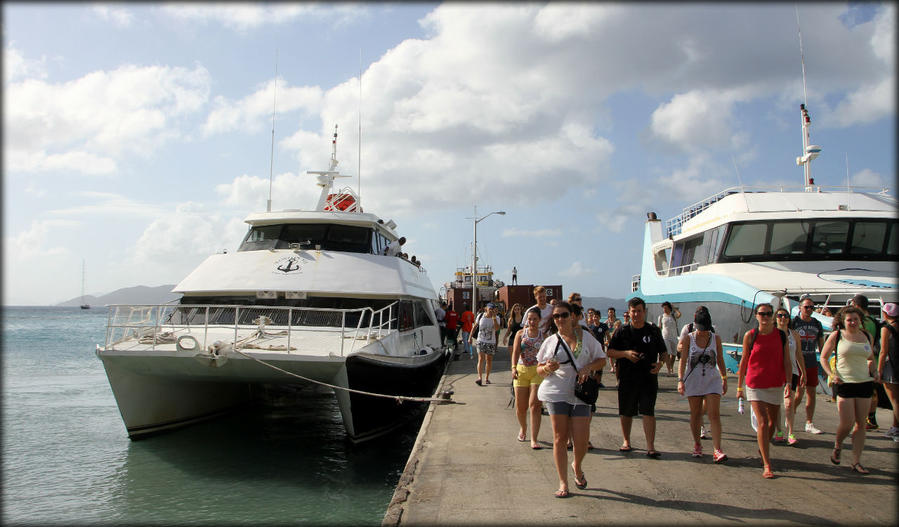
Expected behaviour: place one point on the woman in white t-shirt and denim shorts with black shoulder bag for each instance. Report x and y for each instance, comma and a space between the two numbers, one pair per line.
563, 361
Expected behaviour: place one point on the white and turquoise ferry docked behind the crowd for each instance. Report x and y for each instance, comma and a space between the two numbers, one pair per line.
745, 246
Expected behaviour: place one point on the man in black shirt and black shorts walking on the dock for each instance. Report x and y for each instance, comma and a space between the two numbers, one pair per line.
640, 353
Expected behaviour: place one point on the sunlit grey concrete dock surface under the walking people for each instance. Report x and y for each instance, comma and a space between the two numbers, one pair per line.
467, 467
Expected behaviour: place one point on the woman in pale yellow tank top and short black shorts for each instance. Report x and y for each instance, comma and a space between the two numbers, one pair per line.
853, 380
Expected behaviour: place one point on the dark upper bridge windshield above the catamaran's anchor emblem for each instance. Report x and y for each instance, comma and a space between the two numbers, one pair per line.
330, 237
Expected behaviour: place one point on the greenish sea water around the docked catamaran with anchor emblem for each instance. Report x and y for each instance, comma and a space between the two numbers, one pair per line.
68, 460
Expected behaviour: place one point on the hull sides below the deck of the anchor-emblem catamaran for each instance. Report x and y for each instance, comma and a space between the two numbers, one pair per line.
163, 392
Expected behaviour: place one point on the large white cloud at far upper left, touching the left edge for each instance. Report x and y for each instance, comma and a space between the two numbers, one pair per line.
87, 124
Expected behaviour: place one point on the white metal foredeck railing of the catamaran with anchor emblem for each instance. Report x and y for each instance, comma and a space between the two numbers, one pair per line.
154, 325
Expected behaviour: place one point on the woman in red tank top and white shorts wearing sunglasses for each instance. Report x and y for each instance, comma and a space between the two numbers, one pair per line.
765, 365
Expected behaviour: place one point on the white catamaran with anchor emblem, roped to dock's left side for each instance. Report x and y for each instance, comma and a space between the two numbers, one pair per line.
308, 297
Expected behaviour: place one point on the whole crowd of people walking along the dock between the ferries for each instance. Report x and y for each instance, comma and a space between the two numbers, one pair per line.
557, 348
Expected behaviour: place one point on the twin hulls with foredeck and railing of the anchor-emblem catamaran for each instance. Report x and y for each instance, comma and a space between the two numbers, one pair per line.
168, 375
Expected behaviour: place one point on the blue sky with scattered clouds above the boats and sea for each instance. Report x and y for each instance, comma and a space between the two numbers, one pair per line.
138, 136
